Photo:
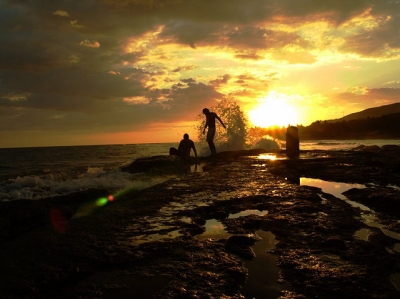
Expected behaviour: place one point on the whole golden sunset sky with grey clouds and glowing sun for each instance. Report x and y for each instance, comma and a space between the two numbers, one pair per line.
138, 71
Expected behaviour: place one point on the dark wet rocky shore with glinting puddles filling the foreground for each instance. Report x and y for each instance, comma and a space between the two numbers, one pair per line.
202, 234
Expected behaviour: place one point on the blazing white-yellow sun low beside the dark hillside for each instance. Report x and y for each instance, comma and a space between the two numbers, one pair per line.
273, 110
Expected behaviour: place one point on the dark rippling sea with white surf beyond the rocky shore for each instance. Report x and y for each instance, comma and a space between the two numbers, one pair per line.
40, 172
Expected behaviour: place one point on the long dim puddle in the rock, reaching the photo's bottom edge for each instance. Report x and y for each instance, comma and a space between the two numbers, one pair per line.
263, 272
